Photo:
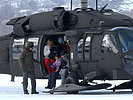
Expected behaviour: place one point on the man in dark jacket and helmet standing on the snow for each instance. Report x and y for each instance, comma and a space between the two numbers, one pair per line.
26, 61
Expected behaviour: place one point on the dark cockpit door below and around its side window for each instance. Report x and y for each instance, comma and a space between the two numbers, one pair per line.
110, 61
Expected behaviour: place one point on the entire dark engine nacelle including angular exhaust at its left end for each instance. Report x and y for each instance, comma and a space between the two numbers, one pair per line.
58, 20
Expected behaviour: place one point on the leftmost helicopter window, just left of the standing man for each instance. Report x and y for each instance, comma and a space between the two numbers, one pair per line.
17, 47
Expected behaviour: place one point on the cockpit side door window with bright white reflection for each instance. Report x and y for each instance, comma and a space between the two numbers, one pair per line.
109, 44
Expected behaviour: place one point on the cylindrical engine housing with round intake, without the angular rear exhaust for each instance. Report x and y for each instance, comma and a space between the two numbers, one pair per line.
57, 20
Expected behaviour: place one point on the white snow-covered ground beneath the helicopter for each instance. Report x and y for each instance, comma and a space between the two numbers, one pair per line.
13, 91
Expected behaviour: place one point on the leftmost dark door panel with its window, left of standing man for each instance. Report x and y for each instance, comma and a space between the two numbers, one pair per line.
16, 48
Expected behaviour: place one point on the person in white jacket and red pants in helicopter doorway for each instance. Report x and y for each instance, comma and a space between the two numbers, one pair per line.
47, 53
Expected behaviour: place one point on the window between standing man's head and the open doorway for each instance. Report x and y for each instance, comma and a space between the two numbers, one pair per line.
35, 42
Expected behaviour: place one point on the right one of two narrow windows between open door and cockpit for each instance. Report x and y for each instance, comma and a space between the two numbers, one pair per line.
87, 47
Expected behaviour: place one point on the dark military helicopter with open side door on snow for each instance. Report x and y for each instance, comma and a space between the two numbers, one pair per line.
100, 45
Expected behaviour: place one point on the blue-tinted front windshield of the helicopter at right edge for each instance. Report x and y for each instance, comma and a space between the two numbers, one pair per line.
126, 40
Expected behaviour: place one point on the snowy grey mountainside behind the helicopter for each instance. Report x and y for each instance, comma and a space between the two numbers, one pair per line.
16, 8
